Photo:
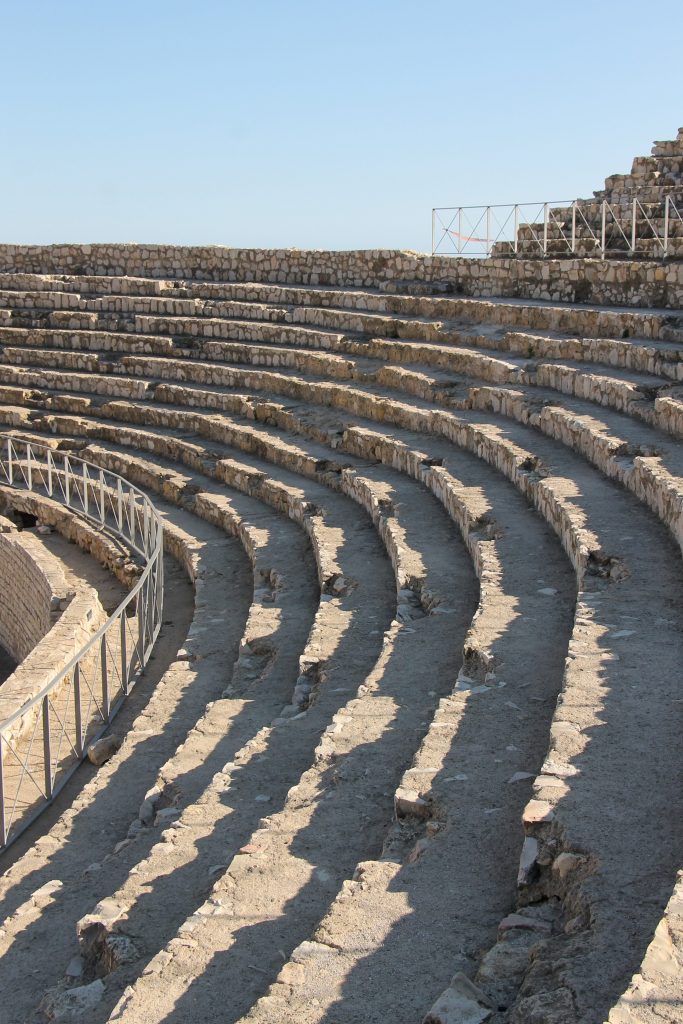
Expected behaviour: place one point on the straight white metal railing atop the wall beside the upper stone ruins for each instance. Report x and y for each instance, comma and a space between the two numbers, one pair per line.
596, 228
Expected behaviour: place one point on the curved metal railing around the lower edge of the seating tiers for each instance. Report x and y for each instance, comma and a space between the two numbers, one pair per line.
44, 743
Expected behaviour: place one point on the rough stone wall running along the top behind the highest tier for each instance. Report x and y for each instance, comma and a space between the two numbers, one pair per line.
609, 282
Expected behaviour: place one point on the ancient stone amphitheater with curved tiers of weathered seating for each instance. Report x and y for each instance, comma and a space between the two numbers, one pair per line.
341, 606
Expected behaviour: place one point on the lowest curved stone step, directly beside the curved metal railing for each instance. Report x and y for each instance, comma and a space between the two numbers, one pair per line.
78, 847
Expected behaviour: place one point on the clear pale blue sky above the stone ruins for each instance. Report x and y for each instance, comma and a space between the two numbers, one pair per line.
318, 124
